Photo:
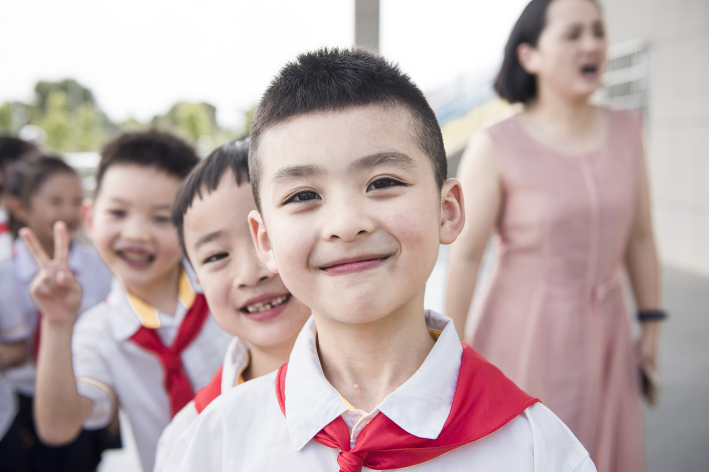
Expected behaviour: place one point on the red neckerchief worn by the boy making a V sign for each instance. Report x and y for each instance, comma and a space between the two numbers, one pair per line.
177, 384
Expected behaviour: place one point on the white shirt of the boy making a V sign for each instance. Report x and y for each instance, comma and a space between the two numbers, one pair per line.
111, 370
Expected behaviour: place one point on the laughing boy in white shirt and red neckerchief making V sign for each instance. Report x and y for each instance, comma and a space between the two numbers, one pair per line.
152, 343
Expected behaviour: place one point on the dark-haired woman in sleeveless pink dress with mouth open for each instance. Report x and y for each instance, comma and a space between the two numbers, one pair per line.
564, 185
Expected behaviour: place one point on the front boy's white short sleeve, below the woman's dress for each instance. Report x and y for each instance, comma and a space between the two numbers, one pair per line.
555, 447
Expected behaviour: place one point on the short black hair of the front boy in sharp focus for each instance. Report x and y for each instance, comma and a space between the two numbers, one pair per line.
336, 79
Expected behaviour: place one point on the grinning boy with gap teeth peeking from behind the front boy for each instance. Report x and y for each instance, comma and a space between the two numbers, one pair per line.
247, 300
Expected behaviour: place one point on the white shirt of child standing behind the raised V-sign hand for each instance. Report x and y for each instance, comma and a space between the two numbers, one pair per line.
90, 272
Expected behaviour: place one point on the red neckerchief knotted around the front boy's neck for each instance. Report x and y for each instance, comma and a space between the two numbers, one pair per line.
485, 401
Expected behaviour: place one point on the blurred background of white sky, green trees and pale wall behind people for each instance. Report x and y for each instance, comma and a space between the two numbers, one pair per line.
75, 73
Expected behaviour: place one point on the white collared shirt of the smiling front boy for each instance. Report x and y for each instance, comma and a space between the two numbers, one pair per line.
245, 430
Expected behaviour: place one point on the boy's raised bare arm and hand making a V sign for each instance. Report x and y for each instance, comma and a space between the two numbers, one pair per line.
59, 410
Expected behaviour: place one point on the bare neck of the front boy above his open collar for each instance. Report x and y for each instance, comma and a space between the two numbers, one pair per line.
365, 363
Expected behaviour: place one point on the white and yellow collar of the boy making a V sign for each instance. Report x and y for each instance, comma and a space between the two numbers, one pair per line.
129, 313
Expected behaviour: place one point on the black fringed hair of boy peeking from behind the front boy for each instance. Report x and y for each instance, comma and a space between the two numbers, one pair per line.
205, 177
